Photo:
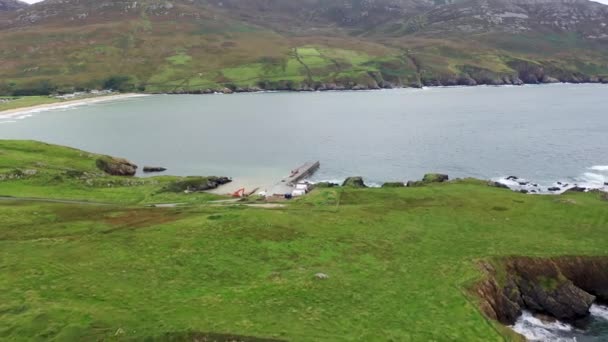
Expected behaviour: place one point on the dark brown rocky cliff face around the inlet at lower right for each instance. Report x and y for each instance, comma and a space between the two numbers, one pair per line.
562, 287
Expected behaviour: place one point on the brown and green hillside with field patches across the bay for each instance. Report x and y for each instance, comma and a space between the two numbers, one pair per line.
200, 45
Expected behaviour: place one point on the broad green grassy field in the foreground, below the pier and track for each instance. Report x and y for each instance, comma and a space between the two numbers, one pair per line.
399, 260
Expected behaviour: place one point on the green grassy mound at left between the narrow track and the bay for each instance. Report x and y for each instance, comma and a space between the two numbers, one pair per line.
65, 173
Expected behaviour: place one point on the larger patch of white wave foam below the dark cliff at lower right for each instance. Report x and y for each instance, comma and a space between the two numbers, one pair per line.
534, 329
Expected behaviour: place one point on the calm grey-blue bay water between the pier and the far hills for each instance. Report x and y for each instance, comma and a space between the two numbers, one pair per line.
541, 133
